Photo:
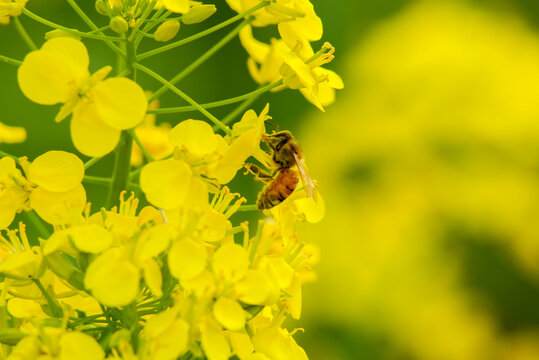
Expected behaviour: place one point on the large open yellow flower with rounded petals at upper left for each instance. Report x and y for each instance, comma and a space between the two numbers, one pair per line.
58, 73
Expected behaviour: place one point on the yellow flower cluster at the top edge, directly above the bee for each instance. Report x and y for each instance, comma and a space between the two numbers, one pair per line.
290, 58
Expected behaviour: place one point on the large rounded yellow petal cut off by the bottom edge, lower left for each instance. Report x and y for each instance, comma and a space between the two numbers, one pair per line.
76, 345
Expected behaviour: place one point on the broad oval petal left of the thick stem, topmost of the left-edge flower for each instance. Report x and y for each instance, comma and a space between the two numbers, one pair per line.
56, 171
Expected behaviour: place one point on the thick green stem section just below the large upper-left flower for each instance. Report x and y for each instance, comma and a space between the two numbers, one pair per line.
122, 165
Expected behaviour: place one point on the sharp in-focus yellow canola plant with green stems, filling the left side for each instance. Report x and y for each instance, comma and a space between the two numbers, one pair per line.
167, 266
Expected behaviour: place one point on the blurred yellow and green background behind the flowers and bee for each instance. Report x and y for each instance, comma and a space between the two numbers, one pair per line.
428, 162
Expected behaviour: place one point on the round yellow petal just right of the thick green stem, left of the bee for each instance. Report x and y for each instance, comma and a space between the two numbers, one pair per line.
166, 182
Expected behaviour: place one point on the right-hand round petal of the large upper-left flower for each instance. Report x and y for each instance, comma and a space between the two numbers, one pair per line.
120, 102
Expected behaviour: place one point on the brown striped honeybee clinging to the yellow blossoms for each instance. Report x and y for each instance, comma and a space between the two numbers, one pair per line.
282, 181
